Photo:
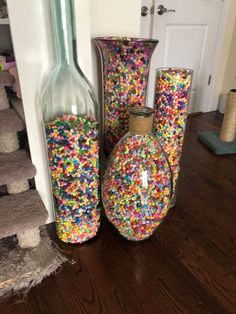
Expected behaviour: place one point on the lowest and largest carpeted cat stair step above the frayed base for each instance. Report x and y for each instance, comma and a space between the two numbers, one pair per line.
21, 212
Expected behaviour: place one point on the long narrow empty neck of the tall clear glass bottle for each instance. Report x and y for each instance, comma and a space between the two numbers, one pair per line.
63, 28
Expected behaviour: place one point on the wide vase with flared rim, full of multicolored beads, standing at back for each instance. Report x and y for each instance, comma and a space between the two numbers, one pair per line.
125, 67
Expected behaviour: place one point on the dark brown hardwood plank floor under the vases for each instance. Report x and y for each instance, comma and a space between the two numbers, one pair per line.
188, 266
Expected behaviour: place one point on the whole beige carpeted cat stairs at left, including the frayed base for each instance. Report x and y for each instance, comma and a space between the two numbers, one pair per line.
25, 263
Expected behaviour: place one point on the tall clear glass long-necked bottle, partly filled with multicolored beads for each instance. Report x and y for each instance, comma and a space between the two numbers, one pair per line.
70, 113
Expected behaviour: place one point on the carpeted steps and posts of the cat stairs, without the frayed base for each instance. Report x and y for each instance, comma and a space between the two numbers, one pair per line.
21, 212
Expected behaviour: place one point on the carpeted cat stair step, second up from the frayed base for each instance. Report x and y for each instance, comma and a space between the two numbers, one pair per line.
16, 166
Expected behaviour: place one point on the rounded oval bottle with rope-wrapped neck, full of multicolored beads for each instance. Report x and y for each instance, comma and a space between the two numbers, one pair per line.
137, 184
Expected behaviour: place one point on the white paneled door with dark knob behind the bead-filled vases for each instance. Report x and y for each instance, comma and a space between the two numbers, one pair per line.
187, 38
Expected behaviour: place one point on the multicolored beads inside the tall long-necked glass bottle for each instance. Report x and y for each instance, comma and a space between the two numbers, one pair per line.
73, 151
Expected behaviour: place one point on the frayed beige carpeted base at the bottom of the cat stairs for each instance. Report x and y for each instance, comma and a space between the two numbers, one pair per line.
21, 269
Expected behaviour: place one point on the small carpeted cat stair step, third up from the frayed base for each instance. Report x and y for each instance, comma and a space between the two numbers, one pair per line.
10, 121
